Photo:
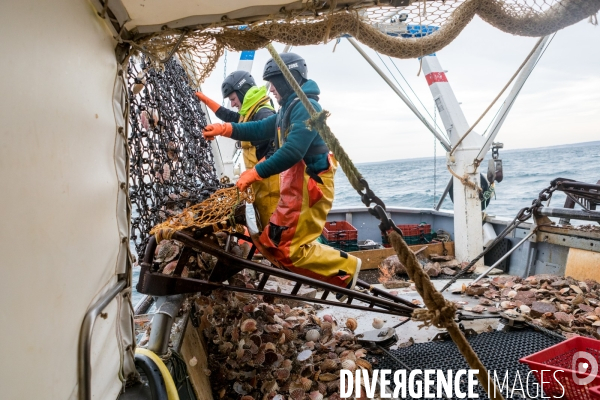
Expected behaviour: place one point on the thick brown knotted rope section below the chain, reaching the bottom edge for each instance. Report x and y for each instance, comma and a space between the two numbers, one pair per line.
440, 312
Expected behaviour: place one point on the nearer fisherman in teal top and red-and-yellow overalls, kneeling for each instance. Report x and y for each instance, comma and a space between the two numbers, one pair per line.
306, 168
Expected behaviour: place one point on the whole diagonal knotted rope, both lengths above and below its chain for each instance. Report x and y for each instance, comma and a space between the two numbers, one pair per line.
440, 312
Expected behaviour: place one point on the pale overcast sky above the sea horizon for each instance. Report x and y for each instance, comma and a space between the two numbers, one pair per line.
559, 104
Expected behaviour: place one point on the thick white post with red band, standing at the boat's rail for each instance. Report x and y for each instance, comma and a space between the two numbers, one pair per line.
467, 206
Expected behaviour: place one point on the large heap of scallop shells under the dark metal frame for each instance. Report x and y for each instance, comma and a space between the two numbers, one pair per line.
260, 350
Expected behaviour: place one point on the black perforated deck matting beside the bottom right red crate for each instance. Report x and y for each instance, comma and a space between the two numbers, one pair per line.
499, 351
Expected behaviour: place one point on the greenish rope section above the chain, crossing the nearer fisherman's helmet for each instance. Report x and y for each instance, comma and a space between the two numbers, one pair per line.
318, 122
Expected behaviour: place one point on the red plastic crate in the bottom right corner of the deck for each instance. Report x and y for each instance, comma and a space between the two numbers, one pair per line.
563, 363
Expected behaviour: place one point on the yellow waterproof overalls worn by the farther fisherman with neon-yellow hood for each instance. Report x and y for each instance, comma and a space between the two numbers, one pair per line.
266, 191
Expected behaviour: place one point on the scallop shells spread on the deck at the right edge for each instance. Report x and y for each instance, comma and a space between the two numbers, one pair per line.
561, 304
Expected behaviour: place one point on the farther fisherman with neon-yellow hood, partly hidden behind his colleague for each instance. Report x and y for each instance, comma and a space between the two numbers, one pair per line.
253, 104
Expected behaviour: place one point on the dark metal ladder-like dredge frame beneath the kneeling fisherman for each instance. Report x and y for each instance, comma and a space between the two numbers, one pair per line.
204, 241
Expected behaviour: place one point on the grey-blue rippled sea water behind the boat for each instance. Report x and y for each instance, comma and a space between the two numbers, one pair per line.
413, 183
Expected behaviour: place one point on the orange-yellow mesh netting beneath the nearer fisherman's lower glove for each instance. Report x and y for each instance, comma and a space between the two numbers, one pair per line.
217, 211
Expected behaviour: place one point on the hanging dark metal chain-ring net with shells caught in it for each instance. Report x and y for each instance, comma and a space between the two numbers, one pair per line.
171, 165
